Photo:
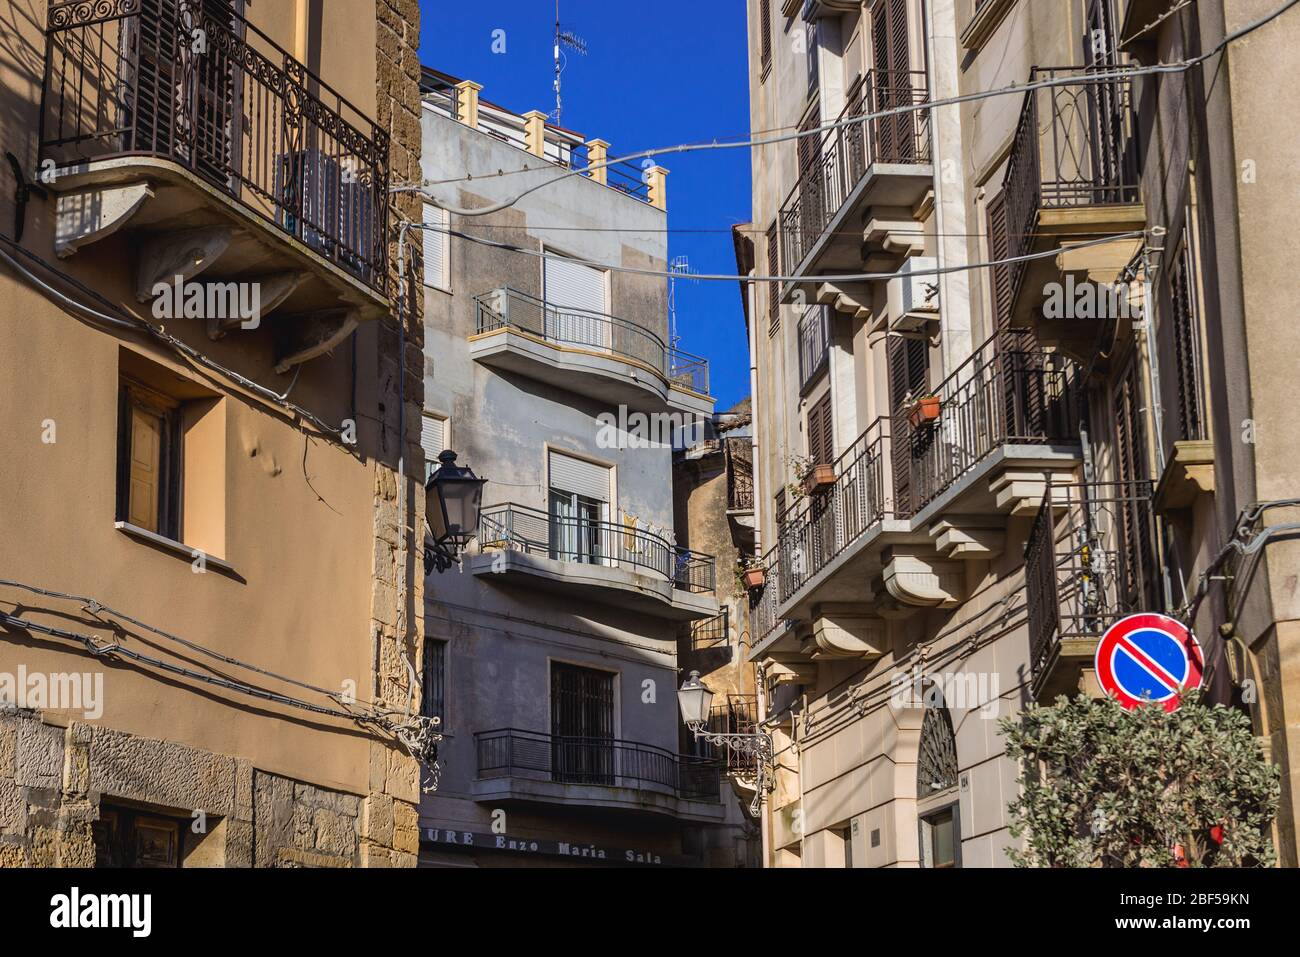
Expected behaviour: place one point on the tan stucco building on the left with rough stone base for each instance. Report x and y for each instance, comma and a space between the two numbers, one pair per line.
291, 570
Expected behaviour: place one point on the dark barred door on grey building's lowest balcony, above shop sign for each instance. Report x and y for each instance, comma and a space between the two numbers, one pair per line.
582, 725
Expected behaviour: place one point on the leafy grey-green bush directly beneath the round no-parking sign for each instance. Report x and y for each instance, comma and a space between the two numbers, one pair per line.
1106, 787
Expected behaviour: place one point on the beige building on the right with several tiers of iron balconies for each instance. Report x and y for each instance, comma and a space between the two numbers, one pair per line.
941, 549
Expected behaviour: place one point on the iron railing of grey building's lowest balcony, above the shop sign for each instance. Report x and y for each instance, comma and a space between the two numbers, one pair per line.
596, 761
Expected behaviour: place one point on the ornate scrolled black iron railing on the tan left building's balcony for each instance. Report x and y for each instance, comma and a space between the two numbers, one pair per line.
129, 79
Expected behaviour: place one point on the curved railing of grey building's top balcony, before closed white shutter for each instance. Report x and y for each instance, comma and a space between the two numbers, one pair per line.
565, 326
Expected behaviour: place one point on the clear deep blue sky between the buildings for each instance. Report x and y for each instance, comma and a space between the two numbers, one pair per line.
674, 72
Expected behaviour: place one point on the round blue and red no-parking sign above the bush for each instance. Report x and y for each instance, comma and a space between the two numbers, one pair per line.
1149, 659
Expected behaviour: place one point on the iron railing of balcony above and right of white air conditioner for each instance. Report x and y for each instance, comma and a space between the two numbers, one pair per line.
1076, 146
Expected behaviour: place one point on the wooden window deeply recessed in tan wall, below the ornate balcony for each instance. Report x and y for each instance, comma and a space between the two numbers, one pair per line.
149, 483
